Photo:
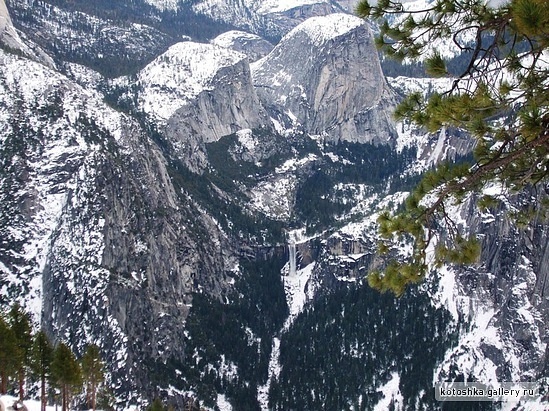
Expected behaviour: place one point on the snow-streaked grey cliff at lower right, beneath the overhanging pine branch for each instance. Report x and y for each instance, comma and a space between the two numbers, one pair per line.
504, 298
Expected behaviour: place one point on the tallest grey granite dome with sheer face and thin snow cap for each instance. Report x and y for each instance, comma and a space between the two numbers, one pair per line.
325, 75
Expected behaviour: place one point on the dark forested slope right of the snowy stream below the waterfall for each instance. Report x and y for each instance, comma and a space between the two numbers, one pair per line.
347, 344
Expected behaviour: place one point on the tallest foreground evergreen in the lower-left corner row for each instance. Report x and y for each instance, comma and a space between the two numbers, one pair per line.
21, 325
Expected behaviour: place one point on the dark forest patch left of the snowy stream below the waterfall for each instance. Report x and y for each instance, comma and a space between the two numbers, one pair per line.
239, 333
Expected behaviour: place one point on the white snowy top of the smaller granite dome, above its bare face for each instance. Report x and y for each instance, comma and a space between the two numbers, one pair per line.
180, 74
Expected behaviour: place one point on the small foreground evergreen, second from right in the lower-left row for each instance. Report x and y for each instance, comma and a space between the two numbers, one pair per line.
66, 372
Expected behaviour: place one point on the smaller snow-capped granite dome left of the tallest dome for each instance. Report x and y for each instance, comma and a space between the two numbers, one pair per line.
187, 89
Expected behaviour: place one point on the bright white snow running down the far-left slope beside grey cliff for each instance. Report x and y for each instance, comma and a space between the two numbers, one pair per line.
30, 85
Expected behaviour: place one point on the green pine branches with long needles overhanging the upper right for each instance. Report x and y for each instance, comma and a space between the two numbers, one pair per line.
501, 97
